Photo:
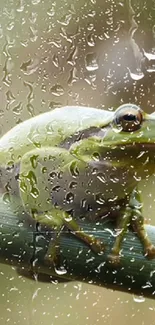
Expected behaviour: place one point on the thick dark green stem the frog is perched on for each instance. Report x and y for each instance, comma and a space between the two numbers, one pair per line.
21, 246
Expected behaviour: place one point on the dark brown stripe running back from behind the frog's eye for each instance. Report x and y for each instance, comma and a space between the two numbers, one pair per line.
84, 134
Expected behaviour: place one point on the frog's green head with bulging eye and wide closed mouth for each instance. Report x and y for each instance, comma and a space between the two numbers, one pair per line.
129, 138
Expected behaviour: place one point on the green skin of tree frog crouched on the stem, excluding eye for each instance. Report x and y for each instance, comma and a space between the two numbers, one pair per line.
78, 159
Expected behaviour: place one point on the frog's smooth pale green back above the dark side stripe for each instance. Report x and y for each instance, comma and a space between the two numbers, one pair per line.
50, 129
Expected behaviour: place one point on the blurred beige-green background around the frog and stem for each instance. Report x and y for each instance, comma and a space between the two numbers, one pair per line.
93, 53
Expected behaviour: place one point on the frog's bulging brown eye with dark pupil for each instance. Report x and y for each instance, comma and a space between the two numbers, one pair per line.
129, 117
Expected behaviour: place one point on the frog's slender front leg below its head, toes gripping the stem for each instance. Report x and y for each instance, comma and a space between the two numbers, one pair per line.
132, 215
